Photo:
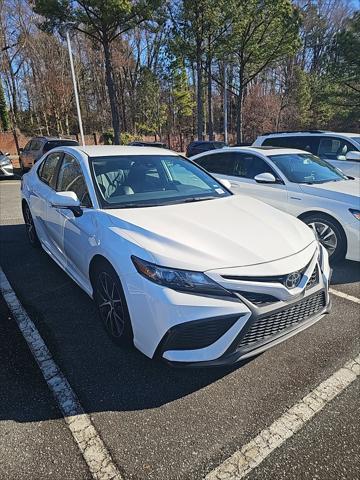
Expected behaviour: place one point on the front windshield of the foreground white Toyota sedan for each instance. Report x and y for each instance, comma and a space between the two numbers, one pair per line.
150, 180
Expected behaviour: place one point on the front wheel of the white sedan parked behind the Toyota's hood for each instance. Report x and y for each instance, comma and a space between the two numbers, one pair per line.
330, 235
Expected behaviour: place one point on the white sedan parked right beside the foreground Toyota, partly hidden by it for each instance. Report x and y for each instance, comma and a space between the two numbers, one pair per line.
299, 183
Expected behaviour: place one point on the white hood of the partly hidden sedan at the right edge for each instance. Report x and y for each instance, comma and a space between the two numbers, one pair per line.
343, 191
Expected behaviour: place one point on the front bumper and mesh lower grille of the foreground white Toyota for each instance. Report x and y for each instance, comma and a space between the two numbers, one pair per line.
265, 315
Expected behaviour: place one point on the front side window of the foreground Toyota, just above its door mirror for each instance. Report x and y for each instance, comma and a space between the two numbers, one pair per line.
71, 179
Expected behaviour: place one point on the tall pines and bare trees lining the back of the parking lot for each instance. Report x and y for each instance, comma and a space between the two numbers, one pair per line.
176, 67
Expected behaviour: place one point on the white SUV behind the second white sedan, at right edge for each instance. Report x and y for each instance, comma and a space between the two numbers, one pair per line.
340, 149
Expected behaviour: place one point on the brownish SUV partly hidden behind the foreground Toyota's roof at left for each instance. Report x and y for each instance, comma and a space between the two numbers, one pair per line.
36, 148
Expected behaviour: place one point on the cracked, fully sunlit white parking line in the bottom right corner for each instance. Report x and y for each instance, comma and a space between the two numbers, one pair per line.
269, 439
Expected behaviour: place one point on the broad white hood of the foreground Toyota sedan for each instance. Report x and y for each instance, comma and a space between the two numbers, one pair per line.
228, 232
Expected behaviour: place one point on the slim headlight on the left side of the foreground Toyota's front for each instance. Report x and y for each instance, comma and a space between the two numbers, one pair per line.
181, 280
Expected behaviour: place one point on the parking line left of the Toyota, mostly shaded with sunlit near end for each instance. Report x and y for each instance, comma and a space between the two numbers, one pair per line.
79, 423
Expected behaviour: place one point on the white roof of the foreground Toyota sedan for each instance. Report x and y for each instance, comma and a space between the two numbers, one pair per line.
112, 150
